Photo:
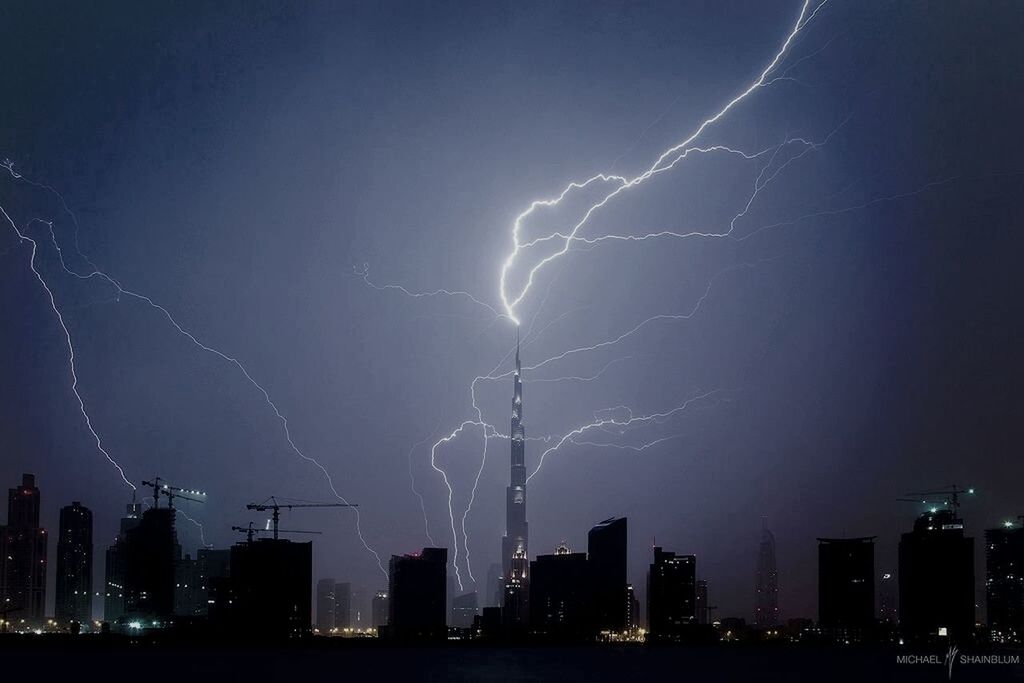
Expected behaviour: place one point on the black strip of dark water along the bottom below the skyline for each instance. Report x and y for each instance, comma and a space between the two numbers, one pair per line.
373, 662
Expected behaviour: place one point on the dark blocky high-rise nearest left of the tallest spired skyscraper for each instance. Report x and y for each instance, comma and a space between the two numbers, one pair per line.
417, 589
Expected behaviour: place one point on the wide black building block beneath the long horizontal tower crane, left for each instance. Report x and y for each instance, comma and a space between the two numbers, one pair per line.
271, 587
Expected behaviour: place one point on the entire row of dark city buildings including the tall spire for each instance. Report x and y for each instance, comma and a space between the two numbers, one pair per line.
264, 586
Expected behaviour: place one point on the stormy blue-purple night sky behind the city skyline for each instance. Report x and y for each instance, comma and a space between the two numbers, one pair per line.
240, 163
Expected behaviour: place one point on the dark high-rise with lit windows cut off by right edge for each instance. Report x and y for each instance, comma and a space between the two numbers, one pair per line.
1005, 582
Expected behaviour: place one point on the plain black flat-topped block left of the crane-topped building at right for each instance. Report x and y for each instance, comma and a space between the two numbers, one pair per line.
846, 587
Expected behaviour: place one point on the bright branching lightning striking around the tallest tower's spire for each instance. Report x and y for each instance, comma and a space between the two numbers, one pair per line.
775, 161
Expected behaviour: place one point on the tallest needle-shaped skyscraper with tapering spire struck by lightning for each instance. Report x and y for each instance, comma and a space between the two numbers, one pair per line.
516, 563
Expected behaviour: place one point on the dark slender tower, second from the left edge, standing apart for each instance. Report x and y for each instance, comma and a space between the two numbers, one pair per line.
74, 595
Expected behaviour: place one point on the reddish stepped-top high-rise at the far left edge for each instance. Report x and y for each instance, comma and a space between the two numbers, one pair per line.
23, 556
